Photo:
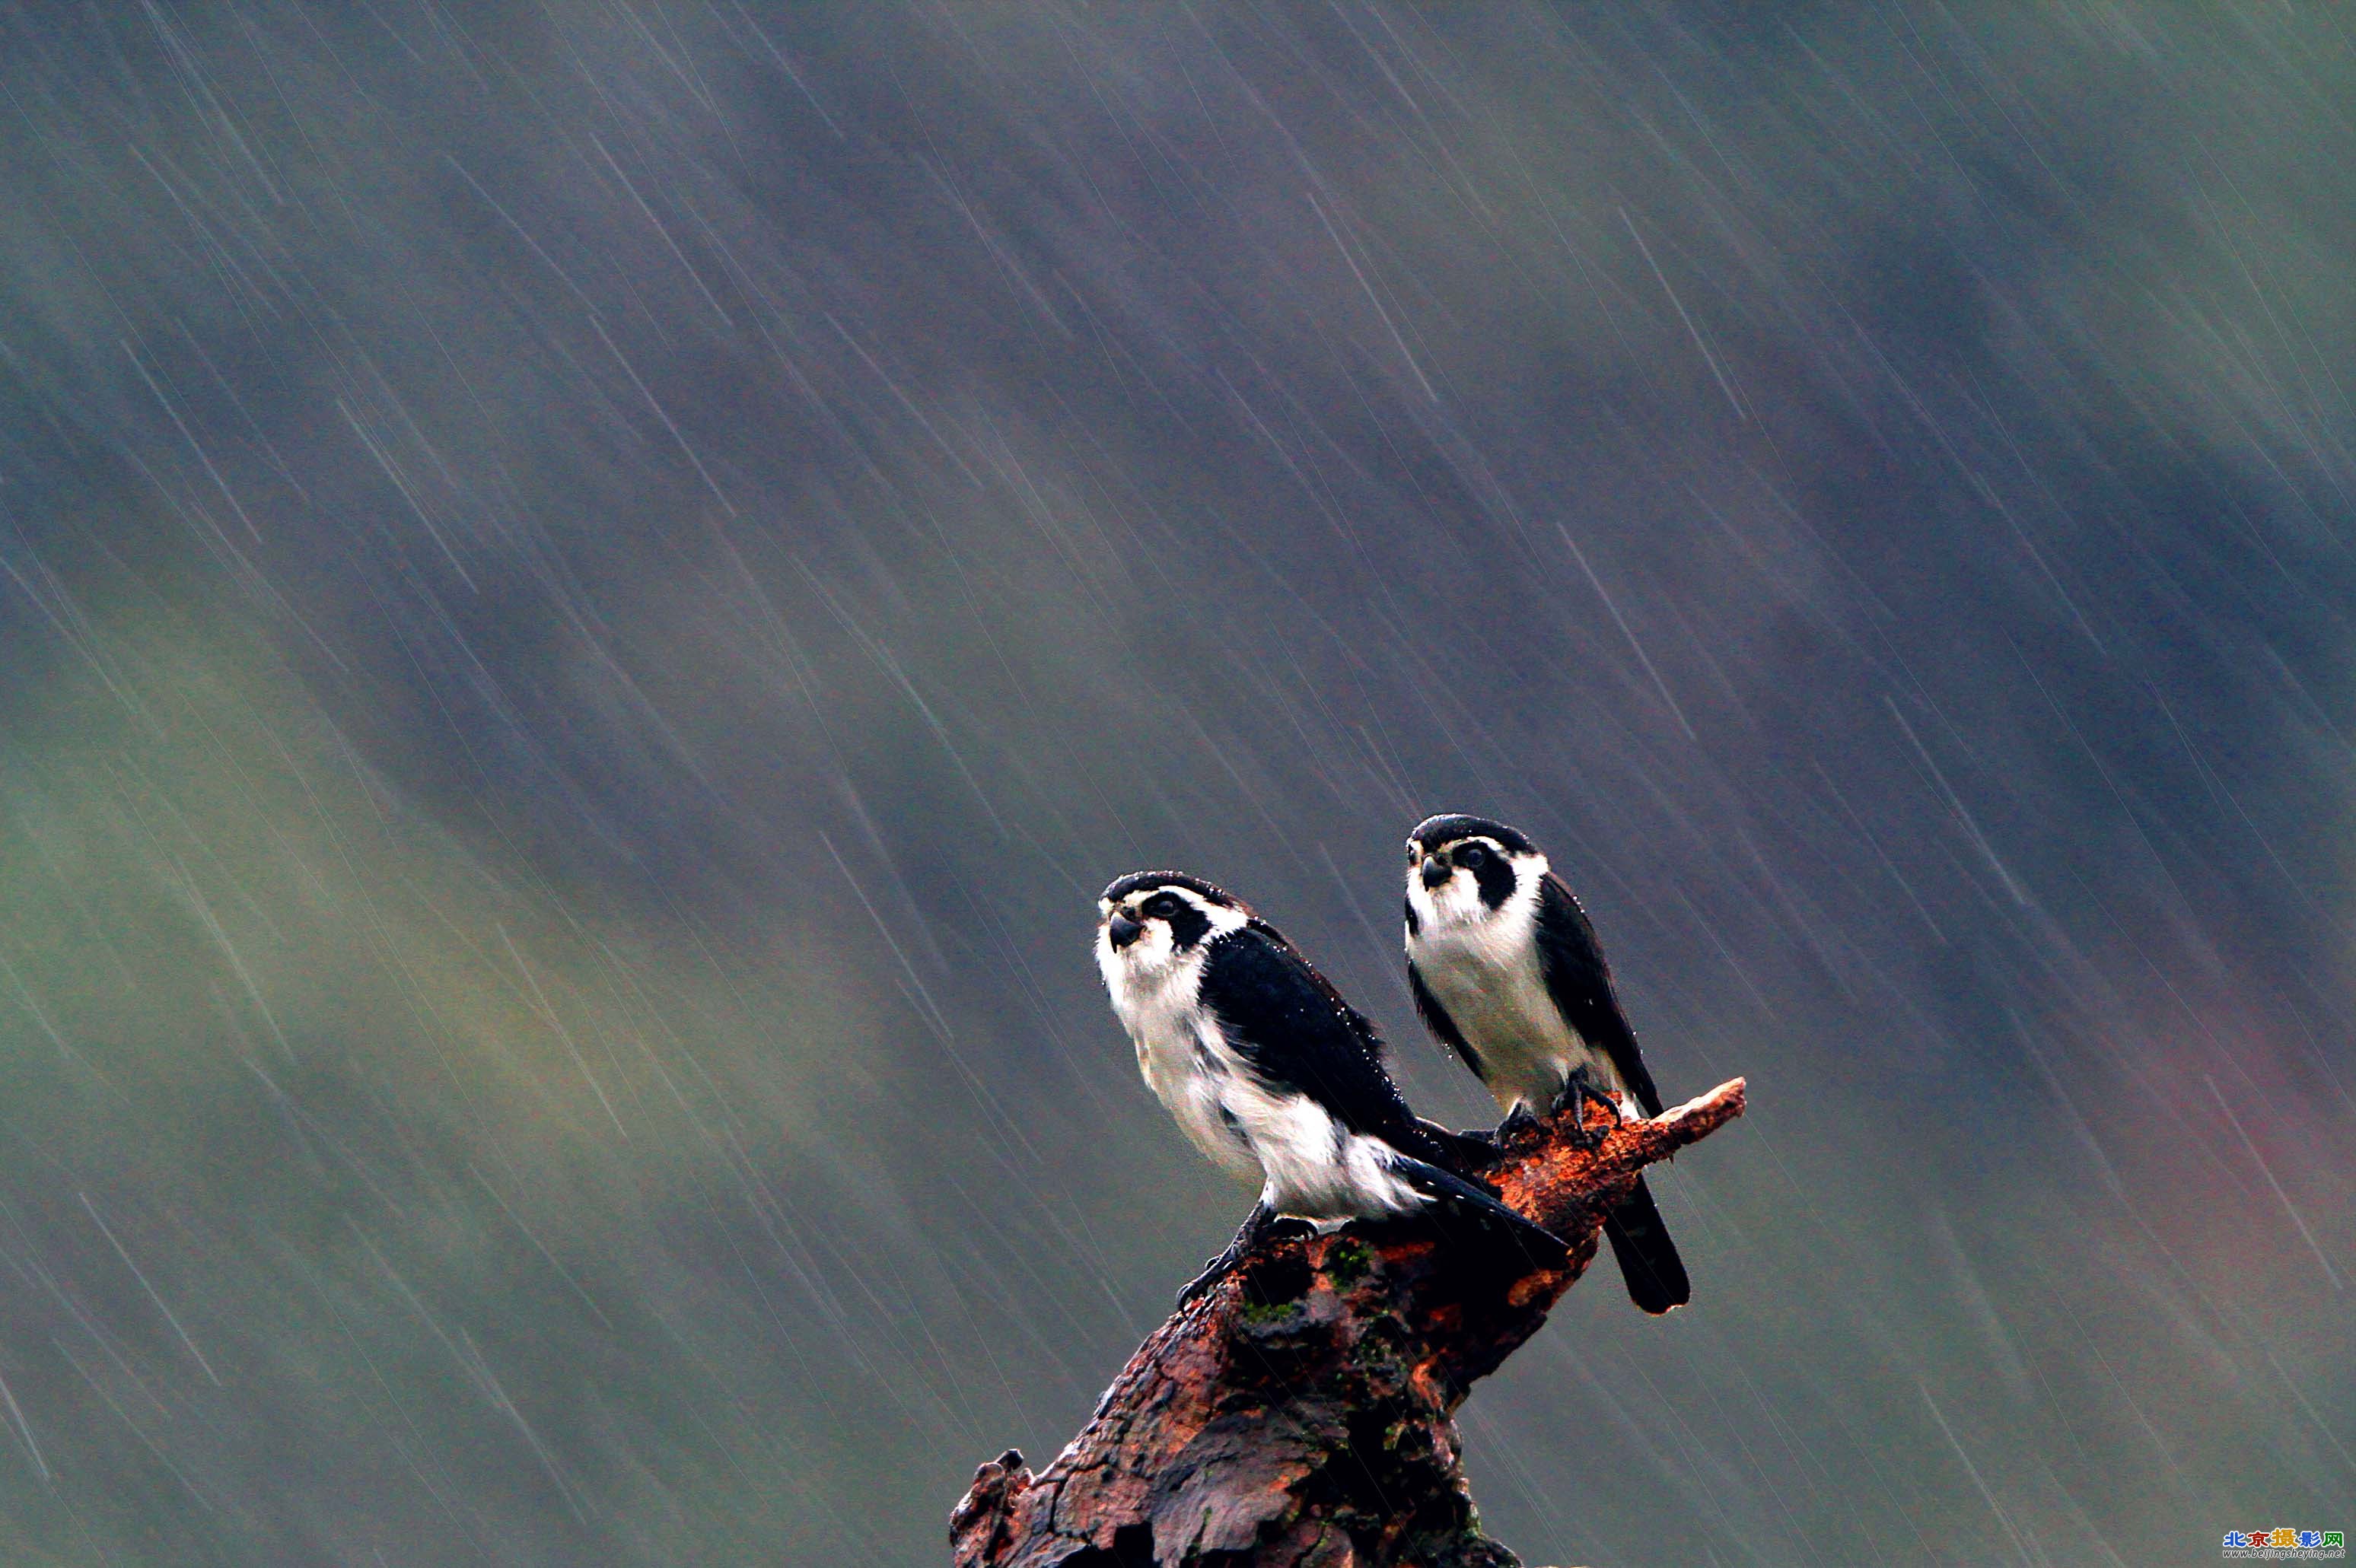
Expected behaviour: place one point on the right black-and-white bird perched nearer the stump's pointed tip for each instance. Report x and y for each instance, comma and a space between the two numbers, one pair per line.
1507, 971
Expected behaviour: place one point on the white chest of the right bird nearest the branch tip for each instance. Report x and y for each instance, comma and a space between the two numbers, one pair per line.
1493, 988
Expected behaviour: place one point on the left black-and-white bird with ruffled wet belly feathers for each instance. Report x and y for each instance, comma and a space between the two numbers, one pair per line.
1271, 1072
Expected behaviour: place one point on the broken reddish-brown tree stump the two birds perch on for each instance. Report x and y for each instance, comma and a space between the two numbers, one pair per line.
1302, 1411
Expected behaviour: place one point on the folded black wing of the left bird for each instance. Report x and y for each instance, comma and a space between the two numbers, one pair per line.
1297, 1032
